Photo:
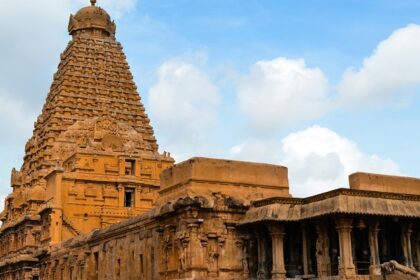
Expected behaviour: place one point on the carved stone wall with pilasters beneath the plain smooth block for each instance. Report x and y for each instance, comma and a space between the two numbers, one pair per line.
191, 241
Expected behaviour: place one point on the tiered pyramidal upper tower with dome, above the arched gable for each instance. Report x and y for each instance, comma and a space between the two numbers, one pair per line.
93, 80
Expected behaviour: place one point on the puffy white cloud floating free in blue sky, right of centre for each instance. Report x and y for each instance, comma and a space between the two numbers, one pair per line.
281, 91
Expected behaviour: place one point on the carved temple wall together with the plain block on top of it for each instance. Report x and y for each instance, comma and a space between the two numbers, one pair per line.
191, 234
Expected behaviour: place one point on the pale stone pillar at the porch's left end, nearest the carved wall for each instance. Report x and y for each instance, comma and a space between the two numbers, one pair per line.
277, 237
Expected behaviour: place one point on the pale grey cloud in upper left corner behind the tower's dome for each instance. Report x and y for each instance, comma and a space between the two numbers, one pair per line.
29, 53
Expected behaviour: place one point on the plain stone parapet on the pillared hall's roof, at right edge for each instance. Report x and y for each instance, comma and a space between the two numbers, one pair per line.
384, 183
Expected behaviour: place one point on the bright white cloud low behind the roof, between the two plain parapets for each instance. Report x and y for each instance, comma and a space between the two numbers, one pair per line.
318, 159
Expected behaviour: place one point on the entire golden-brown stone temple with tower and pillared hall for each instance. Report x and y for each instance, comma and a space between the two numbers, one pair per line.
94, 199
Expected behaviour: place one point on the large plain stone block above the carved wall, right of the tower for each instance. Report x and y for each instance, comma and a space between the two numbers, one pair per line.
242, 180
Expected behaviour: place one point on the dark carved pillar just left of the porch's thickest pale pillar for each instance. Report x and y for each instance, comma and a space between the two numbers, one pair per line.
323, 260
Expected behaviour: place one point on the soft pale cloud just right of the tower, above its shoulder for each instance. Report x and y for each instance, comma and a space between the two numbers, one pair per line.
184, 105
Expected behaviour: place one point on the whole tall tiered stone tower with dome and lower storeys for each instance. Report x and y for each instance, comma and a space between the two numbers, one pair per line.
93, 159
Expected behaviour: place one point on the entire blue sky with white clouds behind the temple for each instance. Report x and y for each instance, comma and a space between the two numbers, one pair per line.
323, 87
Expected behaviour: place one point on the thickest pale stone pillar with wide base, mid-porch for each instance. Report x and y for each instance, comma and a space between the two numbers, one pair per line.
346, 266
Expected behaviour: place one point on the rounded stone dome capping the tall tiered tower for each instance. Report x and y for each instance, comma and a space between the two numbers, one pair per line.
91, 18
